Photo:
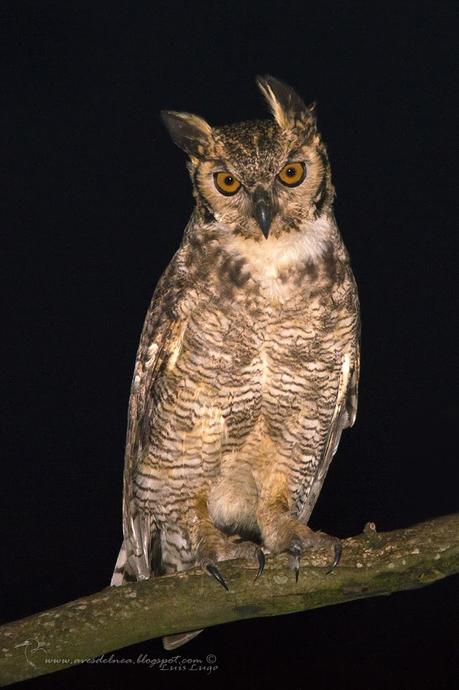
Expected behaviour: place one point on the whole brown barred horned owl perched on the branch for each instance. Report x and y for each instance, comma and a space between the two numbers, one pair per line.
247, 367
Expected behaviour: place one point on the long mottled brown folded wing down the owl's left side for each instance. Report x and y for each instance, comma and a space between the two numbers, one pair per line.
161, 335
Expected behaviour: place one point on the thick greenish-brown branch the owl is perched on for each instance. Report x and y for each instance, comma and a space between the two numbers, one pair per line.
372, 564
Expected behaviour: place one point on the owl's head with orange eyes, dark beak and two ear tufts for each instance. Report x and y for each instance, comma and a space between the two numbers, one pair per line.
261, 178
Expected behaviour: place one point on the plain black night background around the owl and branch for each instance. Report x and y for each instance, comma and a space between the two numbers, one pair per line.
97, 198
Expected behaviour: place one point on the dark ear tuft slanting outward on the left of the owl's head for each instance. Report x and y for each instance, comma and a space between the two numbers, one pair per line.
190, 132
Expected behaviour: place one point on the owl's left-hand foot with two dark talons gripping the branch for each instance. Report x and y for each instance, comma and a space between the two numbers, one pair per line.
227, 550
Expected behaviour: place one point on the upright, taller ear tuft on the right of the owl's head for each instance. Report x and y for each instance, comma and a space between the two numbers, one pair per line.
288, 108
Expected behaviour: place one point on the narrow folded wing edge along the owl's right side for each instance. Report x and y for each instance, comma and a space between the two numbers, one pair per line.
344, 415
